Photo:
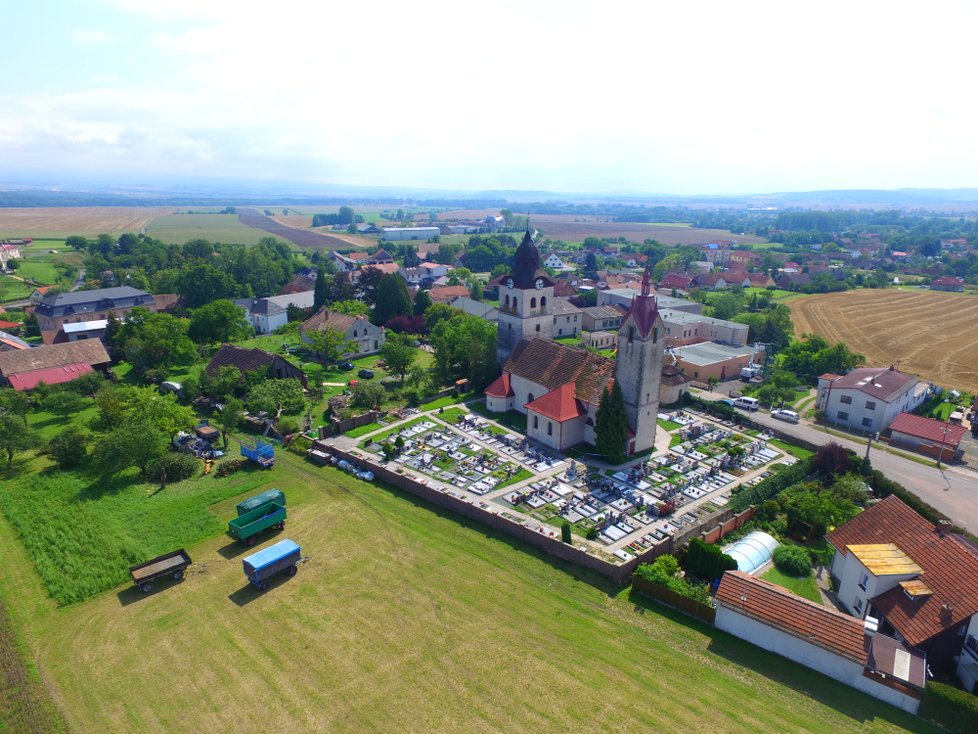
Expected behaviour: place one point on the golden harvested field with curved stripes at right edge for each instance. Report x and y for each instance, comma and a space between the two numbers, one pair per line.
926, 333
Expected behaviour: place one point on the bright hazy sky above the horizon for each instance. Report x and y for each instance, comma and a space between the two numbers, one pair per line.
573, 96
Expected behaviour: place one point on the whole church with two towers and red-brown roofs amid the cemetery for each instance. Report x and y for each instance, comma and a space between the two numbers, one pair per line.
559, 387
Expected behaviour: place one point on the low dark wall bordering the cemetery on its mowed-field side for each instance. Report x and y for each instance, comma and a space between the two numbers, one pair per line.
476, 509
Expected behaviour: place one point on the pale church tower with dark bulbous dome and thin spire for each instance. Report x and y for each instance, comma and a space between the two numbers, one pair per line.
526, 297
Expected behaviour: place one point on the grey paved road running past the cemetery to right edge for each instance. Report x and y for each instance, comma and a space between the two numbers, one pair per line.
953, 491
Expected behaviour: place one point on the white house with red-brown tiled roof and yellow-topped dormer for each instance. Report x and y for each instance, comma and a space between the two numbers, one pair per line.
913, 580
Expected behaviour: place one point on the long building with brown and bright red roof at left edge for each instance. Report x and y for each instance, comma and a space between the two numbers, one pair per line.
24, 369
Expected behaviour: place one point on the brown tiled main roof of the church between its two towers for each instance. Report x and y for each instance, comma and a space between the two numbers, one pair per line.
552, 364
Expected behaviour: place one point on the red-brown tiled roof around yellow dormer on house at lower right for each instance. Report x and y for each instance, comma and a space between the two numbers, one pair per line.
950, 569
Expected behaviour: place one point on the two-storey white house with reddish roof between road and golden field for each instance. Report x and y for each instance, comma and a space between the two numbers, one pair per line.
868, 398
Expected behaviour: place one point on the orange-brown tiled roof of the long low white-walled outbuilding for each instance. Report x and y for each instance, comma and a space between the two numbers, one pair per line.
779, 608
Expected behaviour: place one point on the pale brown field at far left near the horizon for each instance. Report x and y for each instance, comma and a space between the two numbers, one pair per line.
60, 222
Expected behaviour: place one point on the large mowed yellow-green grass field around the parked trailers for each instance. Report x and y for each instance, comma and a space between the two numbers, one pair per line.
405, 618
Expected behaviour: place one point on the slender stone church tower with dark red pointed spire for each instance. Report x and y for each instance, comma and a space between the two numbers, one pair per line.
638, 367
